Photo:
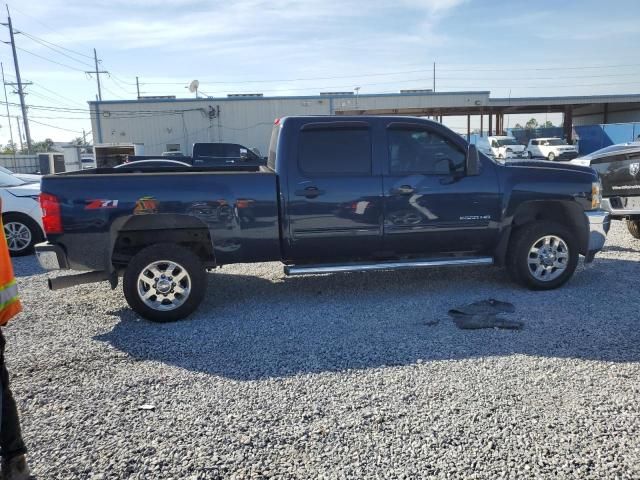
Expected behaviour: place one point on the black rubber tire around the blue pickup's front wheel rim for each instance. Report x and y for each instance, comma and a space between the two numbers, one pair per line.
518, 256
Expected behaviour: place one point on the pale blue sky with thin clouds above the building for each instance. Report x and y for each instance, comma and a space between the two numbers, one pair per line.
282, 47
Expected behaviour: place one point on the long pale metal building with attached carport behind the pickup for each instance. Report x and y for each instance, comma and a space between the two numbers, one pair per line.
165, 124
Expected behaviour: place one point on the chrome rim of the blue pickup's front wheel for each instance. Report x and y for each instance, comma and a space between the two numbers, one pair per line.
548, 258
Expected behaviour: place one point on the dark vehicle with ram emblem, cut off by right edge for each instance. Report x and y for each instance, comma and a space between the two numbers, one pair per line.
619, 170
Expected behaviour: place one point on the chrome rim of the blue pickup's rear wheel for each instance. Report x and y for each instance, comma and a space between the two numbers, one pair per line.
164, 285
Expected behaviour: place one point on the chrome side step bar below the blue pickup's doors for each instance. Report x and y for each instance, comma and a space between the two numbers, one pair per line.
386, 265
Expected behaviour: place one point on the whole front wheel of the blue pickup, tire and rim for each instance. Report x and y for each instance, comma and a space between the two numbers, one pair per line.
542, 255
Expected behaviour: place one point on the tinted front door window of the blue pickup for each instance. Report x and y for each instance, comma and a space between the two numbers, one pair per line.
423, 151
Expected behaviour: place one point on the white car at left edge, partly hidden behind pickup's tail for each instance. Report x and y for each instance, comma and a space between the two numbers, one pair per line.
21, 214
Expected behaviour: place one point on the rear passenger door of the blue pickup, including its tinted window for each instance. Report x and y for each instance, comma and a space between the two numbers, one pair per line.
335, 200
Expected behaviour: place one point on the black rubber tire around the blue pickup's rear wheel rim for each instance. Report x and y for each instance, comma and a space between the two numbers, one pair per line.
163, 253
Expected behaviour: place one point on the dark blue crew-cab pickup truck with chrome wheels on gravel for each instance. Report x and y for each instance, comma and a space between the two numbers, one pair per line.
339, 194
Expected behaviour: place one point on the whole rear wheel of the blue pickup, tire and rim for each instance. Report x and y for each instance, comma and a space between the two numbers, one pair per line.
164, 282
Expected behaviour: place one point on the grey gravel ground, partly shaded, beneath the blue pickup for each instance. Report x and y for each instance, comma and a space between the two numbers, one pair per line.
343, 376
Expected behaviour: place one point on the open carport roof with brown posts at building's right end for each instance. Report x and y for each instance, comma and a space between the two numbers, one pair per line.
580, 110
